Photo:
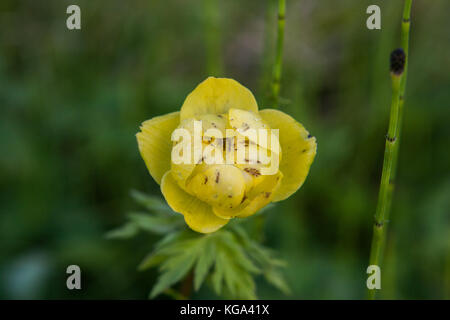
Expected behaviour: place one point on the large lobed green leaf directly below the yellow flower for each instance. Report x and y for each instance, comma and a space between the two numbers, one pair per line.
230, 258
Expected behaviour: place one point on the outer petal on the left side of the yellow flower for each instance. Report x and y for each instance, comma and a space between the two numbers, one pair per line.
155, 144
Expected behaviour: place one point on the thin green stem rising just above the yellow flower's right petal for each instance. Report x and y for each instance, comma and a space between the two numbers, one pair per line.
276, 80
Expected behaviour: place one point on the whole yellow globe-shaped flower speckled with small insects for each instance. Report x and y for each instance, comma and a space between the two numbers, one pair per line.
209, 195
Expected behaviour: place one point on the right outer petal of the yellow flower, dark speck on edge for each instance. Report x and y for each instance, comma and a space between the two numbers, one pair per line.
299, 150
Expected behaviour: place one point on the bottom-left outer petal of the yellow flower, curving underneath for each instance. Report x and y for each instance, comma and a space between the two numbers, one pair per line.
197, 214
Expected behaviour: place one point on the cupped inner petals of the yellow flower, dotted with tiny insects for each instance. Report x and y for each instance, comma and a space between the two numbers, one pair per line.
224, 158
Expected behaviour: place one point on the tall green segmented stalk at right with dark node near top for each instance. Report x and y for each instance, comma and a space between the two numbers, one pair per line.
391, 150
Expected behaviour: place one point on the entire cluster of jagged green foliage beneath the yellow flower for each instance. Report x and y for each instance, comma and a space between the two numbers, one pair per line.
229, 258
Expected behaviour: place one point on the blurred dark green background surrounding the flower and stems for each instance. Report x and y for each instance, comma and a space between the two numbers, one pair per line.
72, 101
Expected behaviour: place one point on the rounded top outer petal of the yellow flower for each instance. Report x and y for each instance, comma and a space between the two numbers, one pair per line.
217, 96
